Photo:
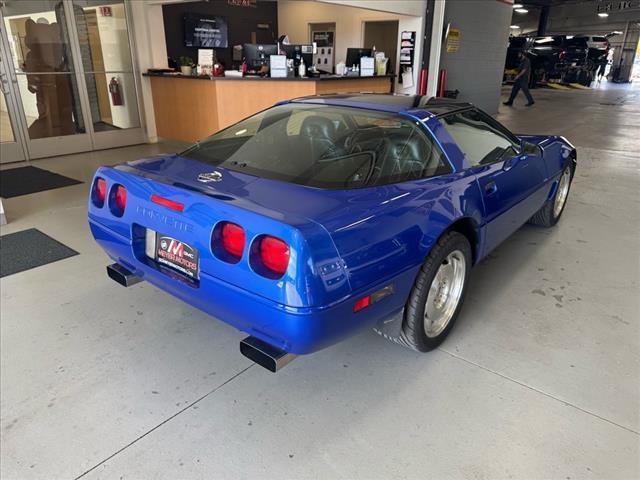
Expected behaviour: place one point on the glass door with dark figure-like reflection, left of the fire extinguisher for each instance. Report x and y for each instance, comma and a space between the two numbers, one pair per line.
42, 68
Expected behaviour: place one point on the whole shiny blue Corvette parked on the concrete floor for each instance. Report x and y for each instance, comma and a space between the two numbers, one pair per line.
322, 215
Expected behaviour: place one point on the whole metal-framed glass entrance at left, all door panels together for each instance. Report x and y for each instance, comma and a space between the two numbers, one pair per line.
70, 64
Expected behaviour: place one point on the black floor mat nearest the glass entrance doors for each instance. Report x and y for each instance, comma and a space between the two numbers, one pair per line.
25, 180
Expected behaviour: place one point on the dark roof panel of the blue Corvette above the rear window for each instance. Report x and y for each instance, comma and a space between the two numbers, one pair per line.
389, 102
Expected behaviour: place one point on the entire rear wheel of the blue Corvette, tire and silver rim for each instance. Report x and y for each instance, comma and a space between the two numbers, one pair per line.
438, 293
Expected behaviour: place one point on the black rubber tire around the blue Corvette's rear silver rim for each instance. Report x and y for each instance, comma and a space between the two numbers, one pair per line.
413, 333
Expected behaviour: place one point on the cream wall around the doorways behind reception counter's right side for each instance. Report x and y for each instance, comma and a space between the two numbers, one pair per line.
294, 17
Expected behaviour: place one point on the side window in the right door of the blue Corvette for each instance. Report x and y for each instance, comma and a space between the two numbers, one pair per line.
481, 139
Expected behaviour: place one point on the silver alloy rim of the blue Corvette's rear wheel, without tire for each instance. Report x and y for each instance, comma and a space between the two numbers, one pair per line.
444, 294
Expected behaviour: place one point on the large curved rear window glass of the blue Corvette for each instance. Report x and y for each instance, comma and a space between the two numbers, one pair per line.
324, 146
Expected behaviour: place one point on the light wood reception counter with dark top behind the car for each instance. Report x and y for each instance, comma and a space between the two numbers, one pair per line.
192, 108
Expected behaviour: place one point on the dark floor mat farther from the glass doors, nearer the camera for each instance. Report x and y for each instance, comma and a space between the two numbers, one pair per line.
28, 249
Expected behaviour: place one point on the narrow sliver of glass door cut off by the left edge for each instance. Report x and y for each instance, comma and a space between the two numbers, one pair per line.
11, 142
